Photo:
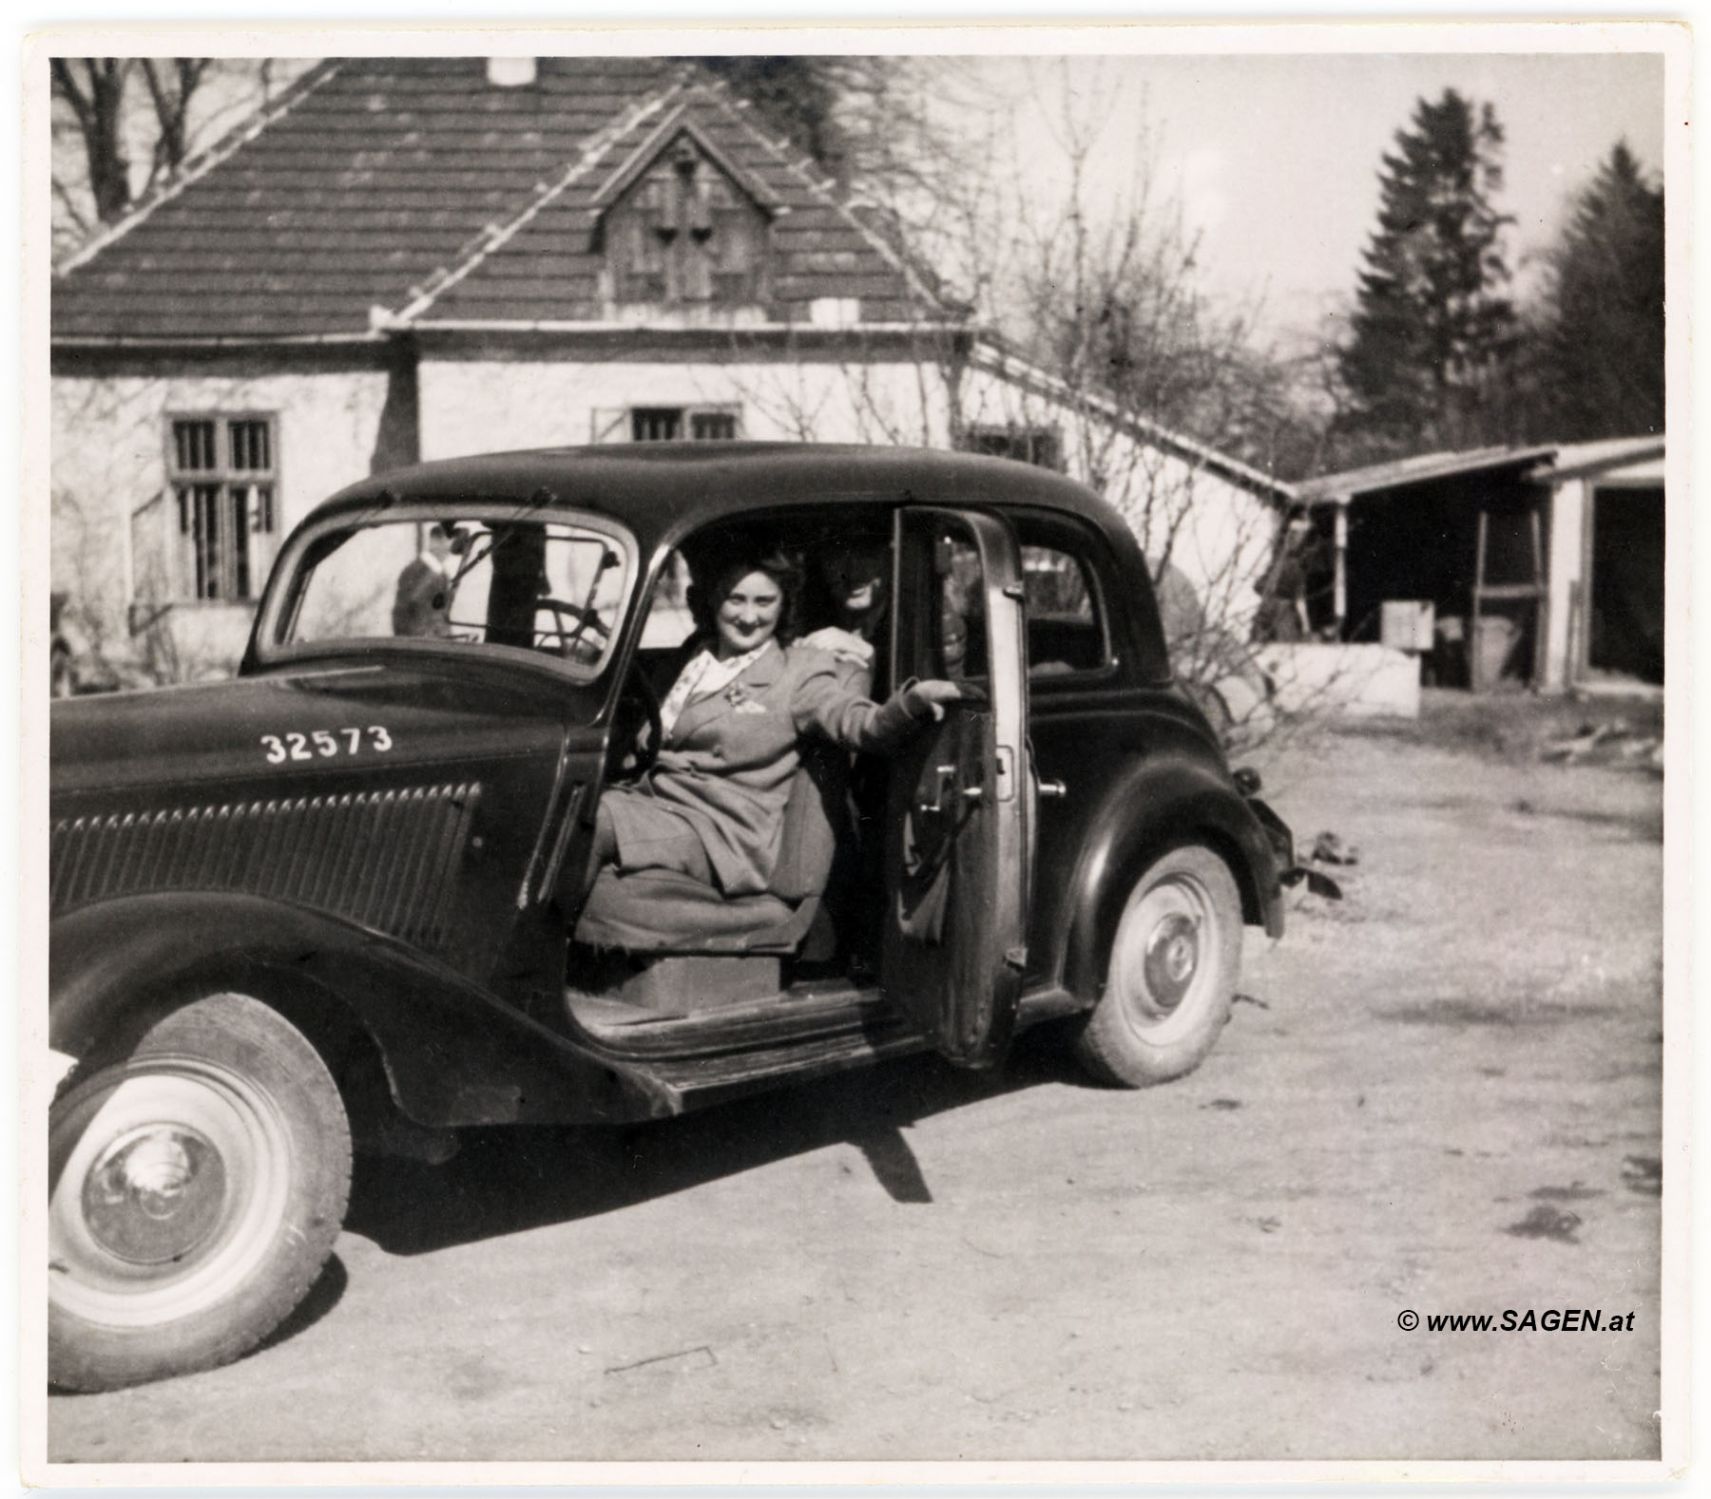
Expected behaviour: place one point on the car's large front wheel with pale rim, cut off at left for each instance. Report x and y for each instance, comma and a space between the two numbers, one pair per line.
196, 1192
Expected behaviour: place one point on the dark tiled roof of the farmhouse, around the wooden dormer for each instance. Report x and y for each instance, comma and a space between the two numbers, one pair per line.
417, 186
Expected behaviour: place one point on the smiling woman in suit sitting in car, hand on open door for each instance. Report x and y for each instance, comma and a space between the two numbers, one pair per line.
713, 803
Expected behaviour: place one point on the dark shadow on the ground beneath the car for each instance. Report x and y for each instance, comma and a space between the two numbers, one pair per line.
509, 1180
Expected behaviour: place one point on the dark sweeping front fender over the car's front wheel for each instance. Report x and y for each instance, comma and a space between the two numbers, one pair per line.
454, 1055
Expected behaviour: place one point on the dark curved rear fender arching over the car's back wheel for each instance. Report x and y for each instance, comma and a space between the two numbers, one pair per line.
1152, 807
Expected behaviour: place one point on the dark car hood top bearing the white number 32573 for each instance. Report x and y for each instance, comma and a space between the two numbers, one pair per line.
264, 728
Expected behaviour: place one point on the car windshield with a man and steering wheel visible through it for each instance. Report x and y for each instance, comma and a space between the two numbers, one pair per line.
502, 581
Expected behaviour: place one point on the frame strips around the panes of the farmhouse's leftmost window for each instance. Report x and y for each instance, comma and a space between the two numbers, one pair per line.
182, 550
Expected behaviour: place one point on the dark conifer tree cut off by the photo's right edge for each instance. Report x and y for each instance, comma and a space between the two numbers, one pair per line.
1599, 360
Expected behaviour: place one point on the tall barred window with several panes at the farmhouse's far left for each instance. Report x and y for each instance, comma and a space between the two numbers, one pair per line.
223, 473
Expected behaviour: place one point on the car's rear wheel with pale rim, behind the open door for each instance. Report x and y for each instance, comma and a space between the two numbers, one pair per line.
1171, 973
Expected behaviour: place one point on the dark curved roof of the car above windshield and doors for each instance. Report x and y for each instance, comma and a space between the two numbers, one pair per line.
666, 489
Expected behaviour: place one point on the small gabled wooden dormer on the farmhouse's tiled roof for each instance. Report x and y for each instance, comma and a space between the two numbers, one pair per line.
685, 234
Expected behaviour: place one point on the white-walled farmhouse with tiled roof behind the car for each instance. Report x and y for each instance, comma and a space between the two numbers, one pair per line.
413, 259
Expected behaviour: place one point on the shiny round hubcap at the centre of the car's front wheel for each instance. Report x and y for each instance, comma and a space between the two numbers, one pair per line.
155, 1195
